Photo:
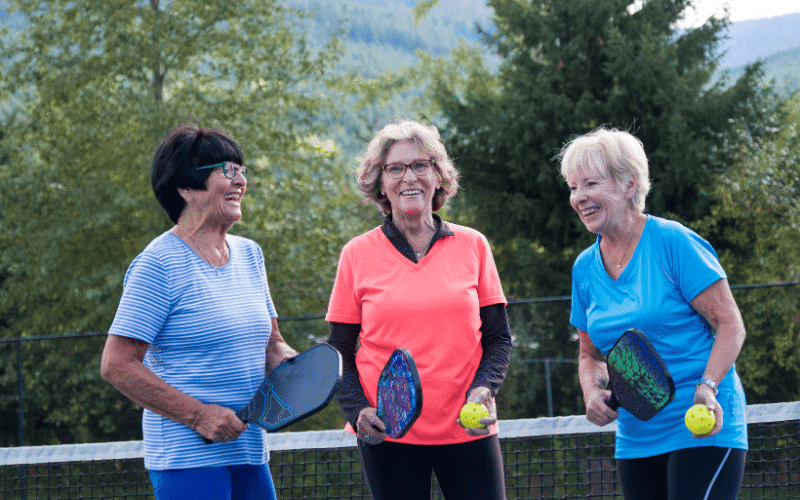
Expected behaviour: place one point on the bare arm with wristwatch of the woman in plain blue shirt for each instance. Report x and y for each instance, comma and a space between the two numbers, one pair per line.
717, 305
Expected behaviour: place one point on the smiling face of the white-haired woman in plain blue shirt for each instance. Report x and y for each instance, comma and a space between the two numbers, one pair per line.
602, 204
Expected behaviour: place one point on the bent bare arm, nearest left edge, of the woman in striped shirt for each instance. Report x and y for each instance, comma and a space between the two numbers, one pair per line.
122, 367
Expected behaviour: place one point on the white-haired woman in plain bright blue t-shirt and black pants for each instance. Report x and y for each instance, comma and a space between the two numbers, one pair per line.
658, 276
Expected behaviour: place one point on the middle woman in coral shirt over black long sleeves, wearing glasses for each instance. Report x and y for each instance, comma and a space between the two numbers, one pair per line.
420, 283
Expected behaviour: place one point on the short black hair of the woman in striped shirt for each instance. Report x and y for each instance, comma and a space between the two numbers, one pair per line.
176, 162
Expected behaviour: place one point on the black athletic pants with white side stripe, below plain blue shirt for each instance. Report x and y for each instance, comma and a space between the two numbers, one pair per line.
704, 473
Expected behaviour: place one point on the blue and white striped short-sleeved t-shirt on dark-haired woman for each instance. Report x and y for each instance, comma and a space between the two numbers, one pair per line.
208, 330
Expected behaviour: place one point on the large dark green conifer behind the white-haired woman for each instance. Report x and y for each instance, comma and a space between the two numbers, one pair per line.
567, 68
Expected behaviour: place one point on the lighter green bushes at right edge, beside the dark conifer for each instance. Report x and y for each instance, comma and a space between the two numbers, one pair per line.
758, 218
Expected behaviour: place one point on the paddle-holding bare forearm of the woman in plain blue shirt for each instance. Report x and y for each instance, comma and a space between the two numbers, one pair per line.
593, 376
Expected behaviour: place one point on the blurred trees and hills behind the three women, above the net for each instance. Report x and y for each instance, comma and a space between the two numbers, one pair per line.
89, 89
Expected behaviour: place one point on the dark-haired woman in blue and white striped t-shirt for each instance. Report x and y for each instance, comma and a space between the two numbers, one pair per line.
196, 328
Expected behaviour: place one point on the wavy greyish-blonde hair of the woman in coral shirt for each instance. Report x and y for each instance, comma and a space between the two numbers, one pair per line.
427, 138
